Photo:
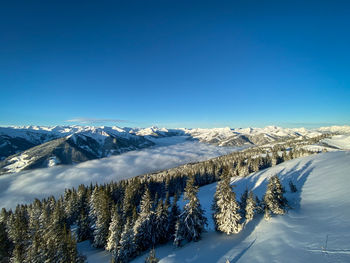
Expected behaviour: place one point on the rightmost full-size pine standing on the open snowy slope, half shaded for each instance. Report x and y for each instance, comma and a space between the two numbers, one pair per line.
274, 200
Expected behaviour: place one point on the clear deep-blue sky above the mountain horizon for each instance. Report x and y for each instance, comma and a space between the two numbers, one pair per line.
175, 63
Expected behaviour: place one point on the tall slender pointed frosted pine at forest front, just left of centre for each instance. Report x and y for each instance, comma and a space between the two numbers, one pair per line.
145, 234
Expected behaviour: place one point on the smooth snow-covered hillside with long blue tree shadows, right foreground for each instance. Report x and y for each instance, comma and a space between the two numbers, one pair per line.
315, 230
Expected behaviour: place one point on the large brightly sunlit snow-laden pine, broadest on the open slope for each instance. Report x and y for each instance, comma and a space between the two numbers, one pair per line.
227, 216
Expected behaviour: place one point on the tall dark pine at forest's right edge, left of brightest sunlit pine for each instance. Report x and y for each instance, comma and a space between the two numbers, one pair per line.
191, 221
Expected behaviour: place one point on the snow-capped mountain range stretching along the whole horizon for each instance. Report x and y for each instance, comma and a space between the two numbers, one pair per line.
28, 147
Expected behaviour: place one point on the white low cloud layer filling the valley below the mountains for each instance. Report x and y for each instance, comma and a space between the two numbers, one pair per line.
23, 187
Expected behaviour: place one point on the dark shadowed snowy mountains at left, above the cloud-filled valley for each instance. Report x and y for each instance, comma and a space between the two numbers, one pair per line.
44, 147
